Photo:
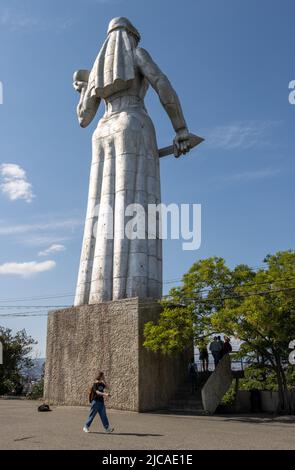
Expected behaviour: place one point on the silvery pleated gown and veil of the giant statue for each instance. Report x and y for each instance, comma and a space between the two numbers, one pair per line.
124, 170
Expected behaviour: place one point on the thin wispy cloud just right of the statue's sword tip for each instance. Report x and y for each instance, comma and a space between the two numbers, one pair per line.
240, 135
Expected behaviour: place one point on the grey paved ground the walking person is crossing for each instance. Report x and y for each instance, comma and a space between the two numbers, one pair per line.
22, 427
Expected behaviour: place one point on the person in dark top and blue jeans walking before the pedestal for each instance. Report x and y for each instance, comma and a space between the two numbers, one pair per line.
97, 404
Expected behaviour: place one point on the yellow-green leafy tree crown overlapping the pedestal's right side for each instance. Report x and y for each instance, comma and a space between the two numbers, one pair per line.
187, 312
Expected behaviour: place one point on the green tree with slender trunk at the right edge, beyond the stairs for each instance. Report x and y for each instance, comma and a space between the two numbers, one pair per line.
263, 317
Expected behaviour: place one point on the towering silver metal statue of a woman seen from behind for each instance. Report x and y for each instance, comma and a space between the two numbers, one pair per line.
125, 167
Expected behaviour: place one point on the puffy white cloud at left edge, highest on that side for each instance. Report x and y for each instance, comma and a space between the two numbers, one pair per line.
14, 184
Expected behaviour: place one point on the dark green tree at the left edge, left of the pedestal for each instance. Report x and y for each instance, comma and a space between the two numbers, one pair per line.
16, 350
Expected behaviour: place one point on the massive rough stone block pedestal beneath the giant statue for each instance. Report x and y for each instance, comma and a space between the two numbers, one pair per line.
81, 341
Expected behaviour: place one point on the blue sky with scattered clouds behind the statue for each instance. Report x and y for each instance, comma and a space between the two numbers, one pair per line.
230, 61
